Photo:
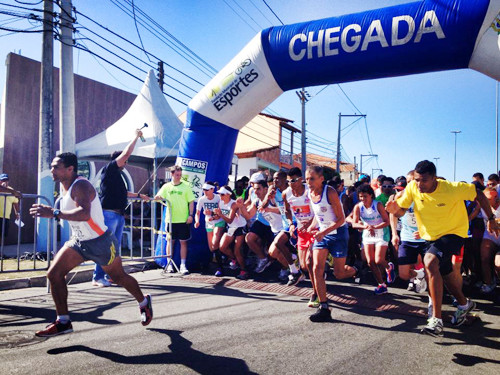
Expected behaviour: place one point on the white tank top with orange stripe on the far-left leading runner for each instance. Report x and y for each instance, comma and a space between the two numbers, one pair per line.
85, 230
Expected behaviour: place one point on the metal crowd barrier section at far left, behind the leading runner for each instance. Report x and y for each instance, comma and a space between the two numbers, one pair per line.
7, 250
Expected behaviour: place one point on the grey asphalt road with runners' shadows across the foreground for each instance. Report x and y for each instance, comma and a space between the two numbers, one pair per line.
223, 326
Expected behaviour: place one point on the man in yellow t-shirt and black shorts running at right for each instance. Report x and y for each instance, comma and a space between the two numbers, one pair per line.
442, 221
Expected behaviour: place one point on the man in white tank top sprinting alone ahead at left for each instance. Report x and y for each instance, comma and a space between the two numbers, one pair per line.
91, 240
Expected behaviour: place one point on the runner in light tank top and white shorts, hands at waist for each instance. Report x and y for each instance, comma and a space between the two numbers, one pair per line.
370, 215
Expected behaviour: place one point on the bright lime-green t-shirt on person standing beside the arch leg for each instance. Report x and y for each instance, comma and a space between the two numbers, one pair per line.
179, 197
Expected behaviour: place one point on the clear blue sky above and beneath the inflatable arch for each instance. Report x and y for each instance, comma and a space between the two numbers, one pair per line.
408, 119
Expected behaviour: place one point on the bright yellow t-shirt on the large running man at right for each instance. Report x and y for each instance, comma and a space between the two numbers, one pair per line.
441, 212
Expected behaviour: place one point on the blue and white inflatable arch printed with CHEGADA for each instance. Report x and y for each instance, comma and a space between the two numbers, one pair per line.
418, 37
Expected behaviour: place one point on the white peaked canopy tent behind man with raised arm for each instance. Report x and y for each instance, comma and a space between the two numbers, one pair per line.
161, 136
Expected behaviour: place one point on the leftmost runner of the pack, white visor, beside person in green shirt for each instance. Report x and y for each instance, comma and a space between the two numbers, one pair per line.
214, 225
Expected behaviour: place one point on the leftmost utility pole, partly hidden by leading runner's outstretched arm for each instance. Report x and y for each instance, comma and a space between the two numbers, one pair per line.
45, 185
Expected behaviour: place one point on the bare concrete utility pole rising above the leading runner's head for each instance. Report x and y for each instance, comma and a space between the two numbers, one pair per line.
67, 137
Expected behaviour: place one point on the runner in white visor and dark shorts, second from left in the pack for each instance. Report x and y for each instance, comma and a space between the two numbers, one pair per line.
229, 211
